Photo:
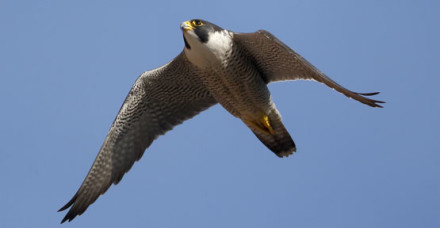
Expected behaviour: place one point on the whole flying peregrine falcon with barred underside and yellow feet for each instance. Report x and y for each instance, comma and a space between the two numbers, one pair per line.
215, 66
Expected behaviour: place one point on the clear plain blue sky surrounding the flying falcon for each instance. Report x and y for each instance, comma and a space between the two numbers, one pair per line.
66, 67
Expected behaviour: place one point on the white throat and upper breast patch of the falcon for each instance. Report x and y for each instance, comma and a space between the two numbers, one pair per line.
215, 51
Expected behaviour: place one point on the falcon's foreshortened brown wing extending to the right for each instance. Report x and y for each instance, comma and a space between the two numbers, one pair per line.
278, 62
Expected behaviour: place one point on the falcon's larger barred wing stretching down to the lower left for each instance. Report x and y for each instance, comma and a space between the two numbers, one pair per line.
159, 100
